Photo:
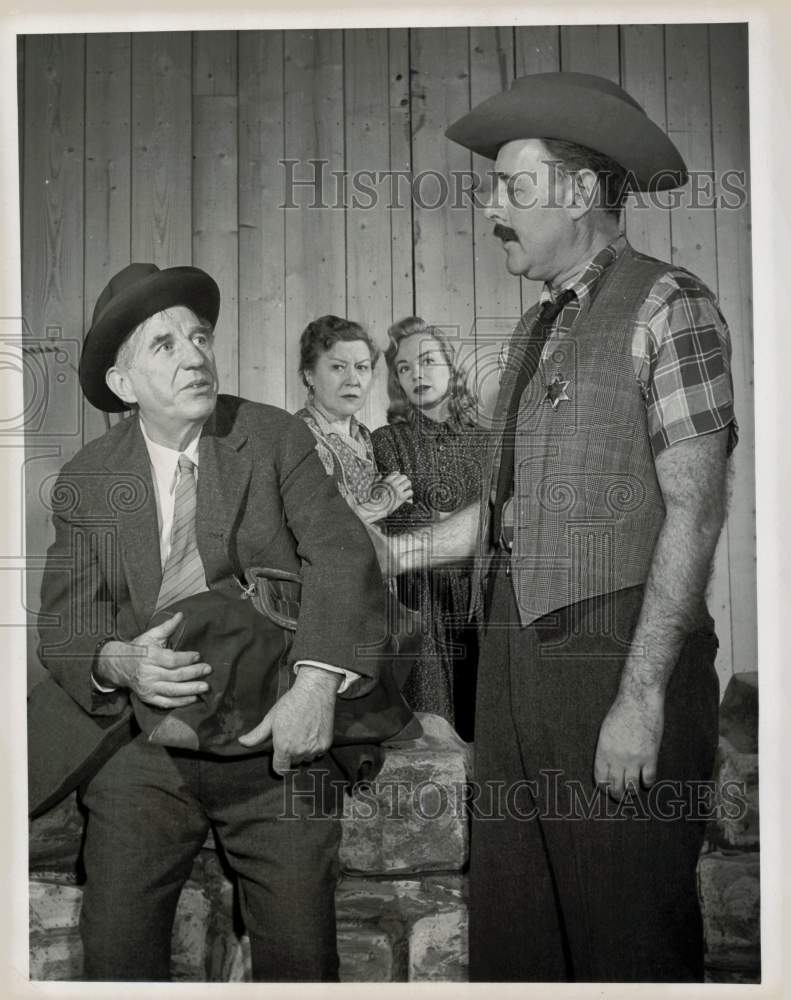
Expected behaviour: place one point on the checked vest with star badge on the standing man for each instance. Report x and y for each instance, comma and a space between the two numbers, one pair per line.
587, 505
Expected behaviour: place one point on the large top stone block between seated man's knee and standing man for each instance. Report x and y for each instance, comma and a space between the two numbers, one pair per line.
412, 817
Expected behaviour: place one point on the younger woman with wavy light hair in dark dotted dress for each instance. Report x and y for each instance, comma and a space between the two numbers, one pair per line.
431, 438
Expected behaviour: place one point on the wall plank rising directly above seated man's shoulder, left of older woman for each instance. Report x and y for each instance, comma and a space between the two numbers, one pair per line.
262, 283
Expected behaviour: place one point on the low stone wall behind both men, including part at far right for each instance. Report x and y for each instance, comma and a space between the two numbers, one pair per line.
401, 902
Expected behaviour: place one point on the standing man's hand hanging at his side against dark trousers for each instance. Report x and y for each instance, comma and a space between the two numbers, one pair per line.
629, 740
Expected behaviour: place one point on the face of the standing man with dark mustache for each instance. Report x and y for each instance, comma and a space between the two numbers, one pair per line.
528, 205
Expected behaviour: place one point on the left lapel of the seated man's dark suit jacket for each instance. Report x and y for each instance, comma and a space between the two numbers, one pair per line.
138, 527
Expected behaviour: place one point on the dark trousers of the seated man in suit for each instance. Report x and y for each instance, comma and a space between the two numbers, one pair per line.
149, 812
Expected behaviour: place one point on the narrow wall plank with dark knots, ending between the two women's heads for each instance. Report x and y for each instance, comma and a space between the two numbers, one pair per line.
399, 193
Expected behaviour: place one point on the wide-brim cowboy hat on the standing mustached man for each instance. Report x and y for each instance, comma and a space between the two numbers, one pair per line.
576, 107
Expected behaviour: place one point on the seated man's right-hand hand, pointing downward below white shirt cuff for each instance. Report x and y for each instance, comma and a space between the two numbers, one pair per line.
301, 722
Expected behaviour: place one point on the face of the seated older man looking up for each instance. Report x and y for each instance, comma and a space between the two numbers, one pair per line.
167, 367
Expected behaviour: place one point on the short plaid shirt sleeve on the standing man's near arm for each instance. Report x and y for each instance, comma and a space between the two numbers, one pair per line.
682, 355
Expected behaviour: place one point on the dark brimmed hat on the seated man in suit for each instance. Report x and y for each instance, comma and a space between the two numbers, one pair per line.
131, 297
